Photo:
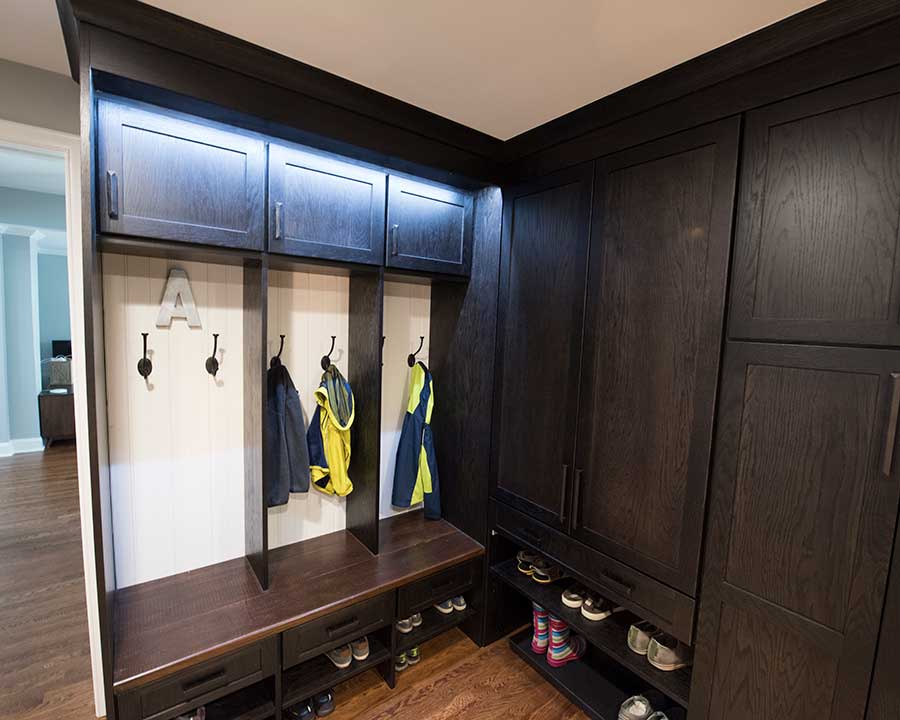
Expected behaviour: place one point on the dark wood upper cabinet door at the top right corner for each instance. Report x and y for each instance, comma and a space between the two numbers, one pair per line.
818, 252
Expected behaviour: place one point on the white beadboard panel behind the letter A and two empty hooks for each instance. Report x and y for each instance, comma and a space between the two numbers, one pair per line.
176, 438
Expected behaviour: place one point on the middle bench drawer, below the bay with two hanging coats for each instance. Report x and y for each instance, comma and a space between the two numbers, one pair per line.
337, 628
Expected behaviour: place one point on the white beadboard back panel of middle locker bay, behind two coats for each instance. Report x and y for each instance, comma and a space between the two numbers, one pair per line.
308, 308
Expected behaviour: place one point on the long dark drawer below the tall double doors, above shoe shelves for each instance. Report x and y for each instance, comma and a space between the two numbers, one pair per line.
652, 600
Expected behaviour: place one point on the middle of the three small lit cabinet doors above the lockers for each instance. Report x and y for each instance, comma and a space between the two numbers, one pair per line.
324, 208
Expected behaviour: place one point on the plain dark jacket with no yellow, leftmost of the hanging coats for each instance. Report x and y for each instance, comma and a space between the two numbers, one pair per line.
287, 466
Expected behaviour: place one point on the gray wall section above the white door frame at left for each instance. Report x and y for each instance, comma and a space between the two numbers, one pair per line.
37, 97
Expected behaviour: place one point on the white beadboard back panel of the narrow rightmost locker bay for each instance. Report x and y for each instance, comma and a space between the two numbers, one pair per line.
407, 316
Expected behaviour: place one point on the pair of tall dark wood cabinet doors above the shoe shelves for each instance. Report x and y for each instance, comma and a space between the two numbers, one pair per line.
617, 341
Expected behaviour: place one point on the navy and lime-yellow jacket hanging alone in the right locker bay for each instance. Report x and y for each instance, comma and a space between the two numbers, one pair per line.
415, 473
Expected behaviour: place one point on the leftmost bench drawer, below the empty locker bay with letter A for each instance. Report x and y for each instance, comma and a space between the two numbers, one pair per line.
200, 684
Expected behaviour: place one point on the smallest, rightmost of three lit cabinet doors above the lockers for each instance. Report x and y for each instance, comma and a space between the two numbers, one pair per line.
429, 227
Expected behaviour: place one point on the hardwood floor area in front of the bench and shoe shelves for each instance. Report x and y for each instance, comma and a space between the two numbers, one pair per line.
456, 679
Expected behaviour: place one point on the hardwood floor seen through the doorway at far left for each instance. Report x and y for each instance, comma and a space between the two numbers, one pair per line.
44, 654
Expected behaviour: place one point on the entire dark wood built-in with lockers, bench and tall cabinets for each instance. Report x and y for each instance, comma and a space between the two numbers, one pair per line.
654, 347
